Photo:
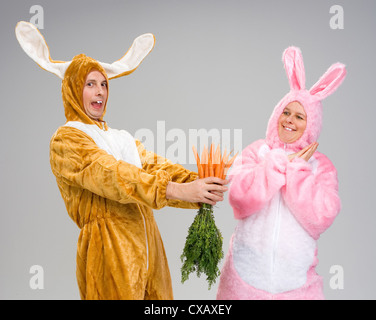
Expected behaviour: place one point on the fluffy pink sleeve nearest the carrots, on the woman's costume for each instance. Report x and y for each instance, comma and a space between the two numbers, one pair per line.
255, 180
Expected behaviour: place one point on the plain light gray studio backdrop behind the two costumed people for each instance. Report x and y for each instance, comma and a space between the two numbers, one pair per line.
216, 65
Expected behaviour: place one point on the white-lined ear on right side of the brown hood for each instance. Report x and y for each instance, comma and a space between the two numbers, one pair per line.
140, 48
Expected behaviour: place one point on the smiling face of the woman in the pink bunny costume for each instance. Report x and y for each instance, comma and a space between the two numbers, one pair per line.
292, 122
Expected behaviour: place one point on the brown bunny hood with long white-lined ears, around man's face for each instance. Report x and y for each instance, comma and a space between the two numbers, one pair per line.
73, 73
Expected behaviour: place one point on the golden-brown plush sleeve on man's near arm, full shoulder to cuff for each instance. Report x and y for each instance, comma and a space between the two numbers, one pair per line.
77, 160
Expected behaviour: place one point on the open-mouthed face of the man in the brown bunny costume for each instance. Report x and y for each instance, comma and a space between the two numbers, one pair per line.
95, 94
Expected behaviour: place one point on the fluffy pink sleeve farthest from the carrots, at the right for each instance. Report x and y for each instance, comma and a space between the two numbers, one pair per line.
313, 196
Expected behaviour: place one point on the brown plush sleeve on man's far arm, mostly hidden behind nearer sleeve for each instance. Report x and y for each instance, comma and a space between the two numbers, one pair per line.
153, 163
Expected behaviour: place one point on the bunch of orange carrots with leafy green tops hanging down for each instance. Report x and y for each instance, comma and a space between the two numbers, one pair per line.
203, 247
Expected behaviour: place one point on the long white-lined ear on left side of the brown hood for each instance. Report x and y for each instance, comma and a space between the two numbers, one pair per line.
35, 46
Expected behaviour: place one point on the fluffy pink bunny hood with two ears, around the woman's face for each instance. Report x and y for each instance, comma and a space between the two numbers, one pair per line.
309, 99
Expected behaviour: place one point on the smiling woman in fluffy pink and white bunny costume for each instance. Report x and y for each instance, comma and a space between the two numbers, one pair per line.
284, 194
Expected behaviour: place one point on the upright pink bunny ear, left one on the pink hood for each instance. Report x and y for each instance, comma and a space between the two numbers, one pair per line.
293, 61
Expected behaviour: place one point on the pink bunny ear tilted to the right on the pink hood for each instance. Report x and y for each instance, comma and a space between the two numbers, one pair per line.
329, 82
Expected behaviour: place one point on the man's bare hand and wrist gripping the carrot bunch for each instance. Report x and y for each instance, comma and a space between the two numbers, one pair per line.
208, 190
